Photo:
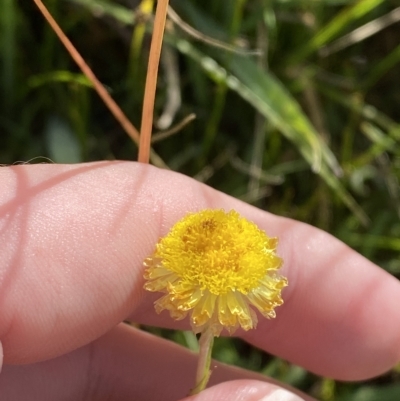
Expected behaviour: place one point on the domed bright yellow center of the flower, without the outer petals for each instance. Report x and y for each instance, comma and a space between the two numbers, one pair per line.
219, 252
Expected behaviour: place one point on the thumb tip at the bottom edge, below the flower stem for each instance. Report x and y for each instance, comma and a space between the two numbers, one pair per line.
246, 390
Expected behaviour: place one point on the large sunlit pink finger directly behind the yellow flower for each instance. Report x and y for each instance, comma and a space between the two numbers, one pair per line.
77, 235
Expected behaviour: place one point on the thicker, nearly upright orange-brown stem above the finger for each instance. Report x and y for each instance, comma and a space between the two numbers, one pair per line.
151, 81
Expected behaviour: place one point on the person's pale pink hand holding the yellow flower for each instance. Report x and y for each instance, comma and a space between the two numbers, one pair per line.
72, 243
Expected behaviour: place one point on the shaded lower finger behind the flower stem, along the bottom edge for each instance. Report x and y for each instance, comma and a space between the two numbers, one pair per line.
125, 364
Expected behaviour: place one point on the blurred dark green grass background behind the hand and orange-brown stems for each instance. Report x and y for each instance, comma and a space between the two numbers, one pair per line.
297, 106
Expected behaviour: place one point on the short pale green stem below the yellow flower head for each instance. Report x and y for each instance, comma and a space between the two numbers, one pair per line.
203, 373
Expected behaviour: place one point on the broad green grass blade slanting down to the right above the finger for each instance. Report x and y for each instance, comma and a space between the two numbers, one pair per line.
266, 94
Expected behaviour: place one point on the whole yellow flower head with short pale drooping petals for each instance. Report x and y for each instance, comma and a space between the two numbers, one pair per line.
215, 265
